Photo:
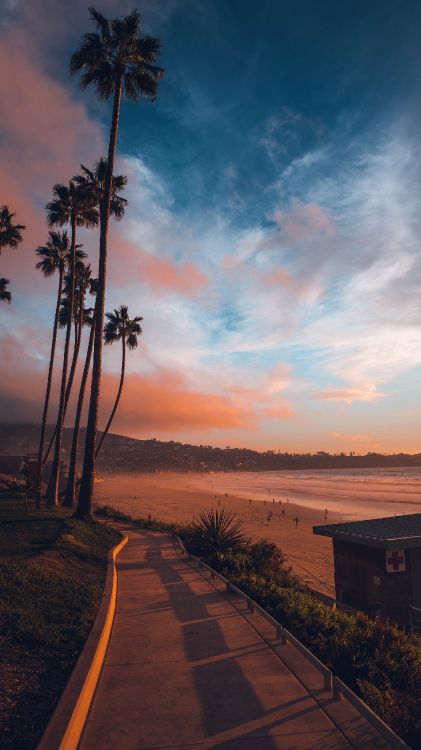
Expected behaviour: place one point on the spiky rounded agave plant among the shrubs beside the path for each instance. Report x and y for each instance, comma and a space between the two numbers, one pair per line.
216, 531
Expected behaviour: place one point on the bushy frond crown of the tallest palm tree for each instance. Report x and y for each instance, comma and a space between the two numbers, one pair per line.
117, 54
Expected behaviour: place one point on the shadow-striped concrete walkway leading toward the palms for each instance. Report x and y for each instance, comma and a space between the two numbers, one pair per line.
188, 667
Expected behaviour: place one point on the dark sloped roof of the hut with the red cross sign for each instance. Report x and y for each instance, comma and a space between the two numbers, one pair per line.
395, 532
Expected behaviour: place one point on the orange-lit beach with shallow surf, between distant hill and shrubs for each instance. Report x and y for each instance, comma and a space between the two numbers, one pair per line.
266, 503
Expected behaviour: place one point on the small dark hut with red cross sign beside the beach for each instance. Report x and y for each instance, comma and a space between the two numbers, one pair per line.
378, 566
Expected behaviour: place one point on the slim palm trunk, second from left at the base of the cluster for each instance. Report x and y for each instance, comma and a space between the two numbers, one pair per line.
55, 470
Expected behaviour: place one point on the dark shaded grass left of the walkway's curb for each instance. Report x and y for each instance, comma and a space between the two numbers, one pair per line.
52, 572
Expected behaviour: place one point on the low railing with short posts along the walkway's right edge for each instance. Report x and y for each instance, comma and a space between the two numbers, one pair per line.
330, 681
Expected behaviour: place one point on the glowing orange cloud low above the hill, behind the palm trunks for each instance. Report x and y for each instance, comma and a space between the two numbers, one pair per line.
162, 402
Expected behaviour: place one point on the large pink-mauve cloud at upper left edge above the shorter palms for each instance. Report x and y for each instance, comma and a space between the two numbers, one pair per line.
46, 133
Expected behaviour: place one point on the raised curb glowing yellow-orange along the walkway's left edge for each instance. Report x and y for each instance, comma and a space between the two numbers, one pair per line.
65, 727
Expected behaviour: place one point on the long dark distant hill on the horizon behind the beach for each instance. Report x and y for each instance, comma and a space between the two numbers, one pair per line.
124, 454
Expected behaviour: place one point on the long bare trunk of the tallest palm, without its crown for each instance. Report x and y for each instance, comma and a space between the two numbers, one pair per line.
85, 500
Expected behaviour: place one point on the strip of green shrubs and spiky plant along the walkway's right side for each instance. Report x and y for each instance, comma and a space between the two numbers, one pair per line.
378, 660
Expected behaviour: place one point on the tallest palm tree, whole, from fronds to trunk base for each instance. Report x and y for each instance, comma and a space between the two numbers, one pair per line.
116, 59
